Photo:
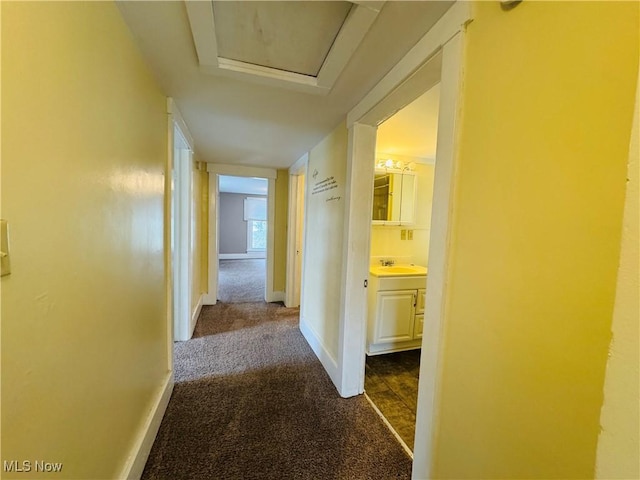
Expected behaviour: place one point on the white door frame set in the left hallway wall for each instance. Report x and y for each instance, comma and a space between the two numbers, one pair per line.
181, 218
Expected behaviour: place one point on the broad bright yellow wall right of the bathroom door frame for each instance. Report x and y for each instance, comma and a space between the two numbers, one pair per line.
547, 108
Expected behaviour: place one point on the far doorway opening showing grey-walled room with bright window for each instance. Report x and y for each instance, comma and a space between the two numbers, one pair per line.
243, 229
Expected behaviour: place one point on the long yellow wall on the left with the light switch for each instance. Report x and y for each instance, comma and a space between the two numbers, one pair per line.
84, 148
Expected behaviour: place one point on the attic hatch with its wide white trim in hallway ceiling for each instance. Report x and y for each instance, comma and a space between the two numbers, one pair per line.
296, 44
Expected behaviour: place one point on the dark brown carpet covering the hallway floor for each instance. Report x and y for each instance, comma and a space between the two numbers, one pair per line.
251, 401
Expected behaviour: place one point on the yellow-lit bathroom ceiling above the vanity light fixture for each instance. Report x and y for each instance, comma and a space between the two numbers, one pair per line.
412, 131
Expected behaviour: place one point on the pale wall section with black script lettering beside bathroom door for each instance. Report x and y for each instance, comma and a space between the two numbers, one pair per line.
320, 303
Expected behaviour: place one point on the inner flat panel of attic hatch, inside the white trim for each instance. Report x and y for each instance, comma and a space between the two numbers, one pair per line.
290, 36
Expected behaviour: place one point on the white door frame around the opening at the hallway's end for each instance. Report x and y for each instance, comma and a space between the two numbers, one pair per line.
216, 169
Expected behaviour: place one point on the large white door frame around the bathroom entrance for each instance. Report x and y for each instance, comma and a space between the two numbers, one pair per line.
438, 56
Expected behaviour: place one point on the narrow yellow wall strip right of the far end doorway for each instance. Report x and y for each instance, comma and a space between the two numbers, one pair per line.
280, 234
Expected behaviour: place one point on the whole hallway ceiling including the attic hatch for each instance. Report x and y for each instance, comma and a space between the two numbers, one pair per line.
249, 118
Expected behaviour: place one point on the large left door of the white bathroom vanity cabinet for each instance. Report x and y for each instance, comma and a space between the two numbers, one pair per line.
395, 316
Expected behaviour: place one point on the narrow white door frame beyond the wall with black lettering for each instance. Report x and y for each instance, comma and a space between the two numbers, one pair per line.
294, 279
